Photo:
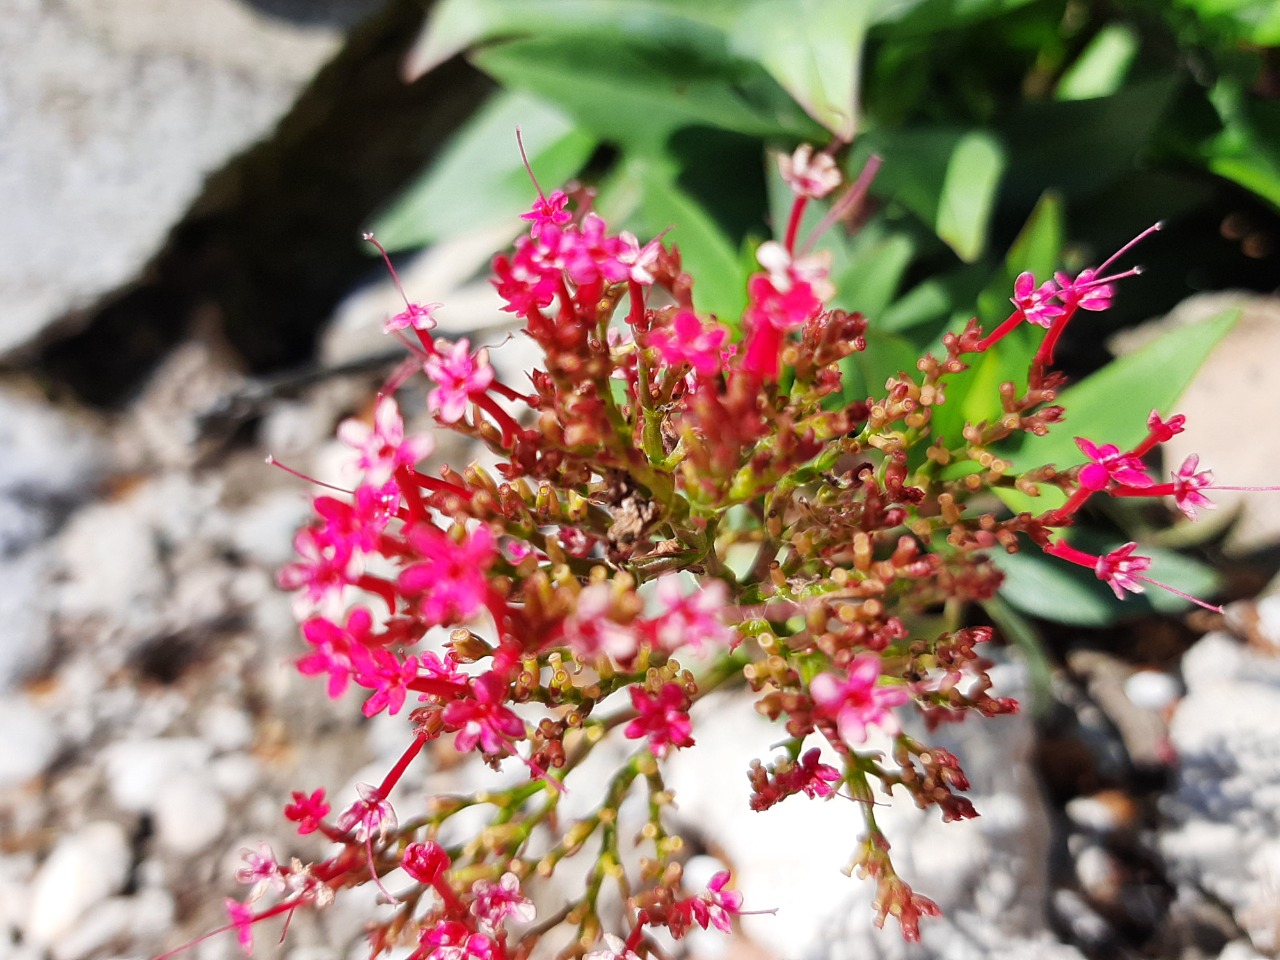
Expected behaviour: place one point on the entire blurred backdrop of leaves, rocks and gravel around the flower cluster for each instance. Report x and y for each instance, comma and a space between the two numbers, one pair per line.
184, 290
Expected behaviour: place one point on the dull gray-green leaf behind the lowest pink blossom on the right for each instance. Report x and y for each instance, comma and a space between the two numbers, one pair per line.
1053, 589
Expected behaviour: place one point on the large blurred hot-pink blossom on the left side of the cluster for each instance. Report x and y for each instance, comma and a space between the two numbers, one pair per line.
449, 580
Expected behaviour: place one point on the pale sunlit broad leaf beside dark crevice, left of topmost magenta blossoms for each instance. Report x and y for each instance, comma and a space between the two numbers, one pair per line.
481, 180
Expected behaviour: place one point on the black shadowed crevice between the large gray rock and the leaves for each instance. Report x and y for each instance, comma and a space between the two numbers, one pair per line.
273, 244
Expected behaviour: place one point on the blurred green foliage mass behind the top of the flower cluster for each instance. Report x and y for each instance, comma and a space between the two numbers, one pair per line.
1016, 135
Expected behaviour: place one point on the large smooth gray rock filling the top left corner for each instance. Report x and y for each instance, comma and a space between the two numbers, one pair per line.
115, 112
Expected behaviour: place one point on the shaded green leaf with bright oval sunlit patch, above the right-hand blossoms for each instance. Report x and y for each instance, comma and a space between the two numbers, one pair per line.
945, 177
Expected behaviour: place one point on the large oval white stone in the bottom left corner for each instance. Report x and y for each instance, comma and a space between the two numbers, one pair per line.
85, 868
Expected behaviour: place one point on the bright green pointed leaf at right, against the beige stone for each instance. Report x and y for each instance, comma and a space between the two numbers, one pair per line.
1114, 404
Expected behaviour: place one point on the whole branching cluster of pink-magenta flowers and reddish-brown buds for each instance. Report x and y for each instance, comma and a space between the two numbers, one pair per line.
670, 514
